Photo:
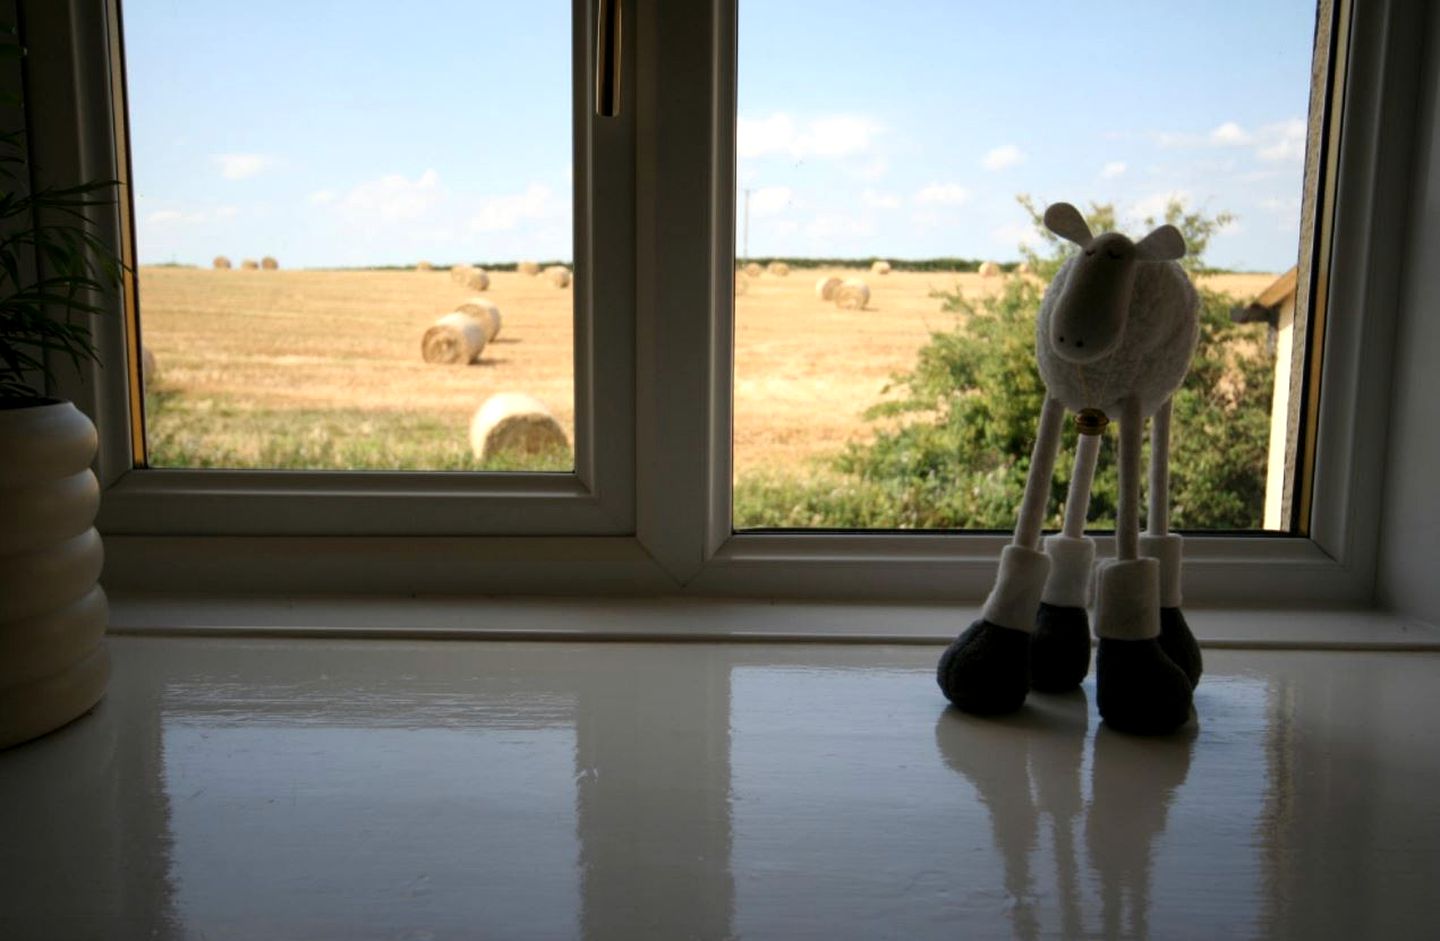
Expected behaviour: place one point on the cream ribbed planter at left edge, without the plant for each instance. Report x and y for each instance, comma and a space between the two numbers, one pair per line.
54, 665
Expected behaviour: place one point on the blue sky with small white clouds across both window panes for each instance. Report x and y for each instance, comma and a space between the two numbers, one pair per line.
338, 135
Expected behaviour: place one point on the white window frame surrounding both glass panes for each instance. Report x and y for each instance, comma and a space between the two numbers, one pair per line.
662, 521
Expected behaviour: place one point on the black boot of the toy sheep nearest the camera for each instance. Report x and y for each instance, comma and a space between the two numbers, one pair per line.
1140, 690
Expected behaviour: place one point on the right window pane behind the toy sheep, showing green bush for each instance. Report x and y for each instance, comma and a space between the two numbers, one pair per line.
906, 158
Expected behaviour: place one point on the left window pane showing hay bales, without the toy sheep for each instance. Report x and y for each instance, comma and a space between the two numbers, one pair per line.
354, 227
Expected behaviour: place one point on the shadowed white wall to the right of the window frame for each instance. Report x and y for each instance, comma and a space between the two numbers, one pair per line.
1409, 573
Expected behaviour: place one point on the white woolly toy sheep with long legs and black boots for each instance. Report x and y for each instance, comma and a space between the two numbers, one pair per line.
1115, 336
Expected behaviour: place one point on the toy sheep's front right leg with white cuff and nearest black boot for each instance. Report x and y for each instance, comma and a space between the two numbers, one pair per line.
1140, 690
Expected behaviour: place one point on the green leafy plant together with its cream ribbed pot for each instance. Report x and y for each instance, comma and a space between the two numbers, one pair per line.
54, 275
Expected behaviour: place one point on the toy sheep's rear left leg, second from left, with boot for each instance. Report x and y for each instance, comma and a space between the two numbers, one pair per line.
1061, 643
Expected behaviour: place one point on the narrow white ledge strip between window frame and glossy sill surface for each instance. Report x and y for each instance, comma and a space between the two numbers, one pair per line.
705, 619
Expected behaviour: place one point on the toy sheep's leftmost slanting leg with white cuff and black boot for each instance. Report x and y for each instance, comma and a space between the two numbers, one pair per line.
987, 669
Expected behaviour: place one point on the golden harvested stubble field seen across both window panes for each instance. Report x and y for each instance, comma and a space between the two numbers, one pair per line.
333, 354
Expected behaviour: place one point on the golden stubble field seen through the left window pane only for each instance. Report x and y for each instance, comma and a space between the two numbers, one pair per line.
256, 365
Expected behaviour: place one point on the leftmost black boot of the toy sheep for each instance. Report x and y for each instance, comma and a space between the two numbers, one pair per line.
987, 669
